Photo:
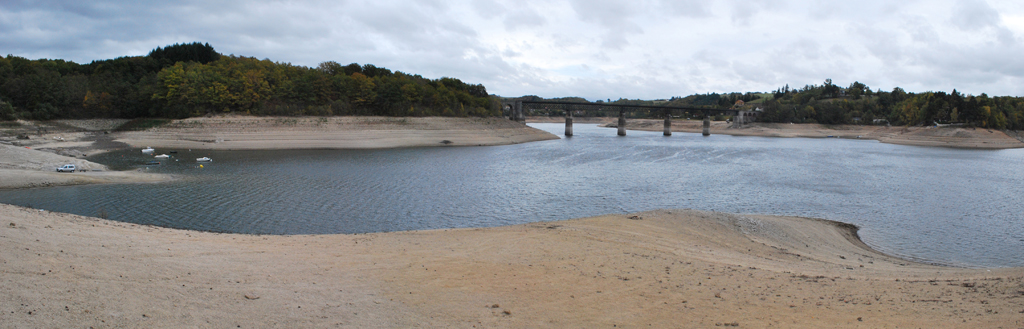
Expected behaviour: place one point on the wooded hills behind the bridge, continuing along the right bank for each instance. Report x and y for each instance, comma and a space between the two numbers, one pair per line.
831, 104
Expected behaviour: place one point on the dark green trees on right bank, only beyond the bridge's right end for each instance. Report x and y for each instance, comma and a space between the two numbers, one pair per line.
858, 104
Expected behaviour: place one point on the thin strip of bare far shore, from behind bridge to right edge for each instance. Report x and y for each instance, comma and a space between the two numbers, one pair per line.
922, 137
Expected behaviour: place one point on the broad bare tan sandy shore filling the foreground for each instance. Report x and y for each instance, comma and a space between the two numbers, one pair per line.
661, 269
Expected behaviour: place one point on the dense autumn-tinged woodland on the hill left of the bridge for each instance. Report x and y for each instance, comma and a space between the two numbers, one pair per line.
189, 80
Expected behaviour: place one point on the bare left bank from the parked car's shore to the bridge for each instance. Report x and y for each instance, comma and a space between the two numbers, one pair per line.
29, 163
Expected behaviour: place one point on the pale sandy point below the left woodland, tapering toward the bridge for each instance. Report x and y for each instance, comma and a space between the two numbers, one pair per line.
240, 133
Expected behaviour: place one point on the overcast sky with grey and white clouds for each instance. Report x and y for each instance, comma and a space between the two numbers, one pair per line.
592, 49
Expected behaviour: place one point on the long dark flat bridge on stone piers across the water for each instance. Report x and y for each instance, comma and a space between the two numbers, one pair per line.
517, 110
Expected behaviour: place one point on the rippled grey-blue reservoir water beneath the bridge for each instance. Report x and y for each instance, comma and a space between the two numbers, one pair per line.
961, 208
